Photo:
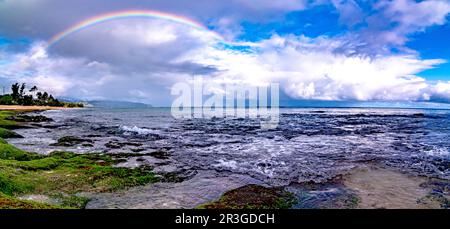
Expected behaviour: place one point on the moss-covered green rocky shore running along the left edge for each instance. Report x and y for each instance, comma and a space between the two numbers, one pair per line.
32, 180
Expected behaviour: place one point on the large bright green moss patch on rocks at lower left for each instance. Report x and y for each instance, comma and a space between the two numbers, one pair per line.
65, 174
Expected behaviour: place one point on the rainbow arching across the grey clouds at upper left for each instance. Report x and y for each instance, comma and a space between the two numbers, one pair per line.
129, 14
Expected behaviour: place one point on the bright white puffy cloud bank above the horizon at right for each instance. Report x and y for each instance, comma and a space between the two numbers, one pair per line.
310, 69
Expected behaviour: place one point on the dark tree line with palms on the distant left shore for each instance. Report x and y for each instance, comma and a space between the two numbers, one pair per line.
21, 96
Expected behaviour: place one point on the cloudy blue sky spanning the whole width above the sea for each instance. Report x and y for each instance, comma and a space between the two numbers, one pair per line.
345, 50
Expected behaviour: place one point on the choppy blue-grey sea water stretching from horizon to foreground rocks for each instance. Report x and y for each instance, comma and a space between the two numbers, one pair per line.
308, 145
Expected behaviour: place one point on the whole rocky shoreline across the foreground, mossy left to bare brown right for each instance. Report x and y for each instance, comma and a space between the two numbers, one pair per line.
122, 180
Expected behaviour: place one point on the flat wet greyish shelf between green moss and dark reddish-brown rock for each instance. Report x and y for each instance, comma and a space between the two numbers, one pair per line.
204, 187
